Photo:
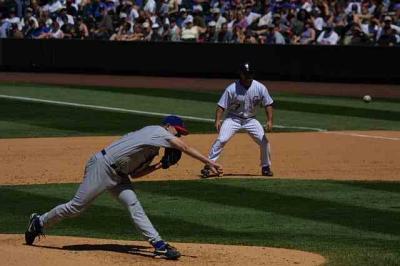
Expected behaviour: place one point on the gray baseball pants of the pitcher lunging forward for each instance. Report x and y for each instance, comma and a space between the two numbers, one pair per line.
99, 177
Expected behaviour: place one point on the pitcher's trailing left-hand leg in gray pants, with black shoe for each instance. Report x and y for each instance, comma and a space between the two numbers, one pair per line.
96, 180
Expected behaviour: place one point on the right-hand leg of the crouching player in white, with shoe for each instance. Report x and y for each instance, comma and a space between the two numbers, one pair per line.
256, 131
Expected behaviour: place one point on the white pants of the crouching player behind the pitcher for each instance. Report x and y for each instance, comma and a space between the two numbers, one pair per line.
231, 126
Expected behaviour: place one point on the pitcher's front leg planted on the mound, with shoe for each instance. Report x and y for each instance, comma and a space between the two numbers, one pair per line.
124, 193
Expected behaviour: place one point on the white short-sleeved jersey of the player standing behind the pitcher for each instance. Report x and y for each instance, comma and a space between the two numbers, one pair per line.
241, 102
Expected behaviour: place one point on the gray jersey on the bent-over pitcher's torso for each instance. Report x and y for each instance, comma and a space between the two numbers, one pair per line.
136, 150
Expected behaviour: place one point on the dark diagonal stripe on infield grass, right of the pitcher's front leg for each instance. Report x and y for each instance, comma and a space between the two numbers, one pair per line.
320, 210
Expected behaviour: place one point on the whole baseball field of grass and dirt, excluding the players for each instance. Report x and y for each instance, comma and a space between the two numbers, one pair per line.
334, 199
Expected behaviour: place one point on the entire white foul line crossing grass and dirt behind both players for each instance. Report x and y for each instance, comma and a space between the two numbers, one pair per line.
190, 118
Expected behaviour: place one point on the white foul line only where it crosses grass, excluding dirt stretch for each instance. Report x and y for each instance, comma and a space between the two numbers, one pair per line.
123, 110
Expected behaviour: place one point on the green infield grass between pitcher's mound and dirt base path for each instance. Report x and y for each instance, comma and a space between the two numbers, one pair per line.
350, 223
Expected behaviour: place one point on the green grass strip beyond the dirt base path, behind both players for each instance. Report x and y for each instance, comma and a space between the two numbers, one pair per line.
25, 119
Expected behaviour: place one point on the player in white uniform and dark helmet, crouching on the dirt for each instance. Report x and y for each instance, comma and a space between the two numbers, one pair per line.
240, 99
